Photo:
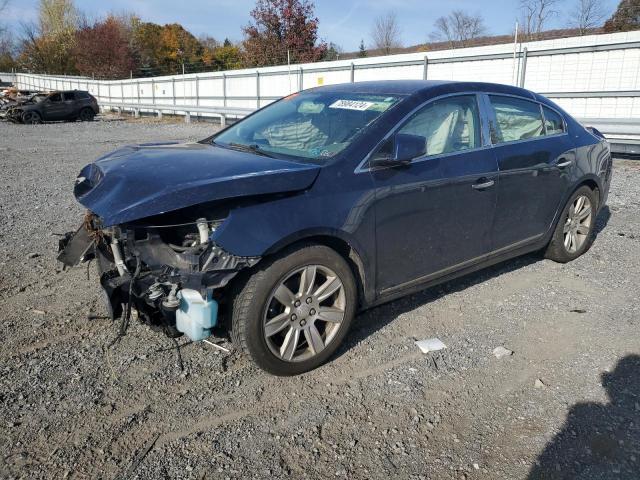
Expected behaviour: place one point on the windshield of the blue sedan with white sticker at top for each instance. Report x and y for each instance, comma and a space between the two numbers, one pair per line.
314, 125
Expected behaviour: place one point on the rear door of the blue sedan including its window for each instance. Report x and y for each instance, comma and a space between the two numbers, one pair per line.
534, 158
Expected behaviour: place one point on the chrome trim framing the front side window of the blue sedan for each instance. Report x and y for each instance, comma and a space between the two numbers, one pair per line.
485, 142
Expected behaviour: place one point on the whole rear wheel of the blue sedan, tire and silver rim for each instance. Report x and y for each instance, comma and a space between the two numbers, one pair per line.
562, 248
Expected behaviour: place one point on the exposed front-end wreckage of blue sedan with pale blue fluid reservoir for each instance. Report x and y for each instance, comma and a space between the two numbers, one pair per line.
171, 274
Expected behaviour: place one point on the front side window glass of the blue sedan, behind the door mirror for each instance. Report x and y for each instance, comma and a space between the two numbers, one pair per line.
448, 125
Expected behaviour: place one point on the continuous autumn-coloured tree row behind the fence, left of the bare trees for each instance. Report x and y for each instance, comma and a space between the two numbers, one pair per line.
64, 41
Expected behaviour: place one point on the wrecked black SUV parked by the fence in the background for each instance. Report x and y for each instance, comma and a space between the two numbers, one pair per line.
66, 105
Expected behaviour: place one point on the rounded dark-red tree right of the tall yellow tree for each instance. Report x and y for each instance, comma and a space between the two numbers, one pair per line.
103, 49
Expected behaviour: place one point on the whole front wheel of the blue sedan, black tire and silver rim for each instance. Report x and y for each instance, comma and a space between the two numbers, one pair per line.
262, 323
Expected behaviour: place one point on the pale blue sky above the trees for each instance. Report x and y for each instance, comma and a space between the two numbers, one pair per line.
343, 22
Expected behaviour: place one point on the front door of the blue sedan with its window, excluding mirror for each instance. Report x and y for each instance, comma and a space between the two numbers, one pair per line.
435, 214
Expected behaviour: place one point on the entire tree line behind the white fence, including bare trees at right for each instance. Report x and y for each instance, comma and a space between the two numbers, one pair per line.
63, 40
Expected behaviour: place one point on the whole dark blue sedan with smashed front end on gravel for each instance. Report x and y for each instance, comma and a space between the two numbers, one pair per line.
281, 227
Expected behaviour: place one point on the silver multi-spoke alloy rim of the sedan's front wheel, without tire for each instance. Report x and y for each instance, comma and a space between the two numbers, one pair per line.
304, 313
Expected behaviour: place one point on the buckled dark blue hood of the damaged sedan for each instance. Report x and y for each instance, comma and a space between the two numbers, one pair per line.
140, 181
